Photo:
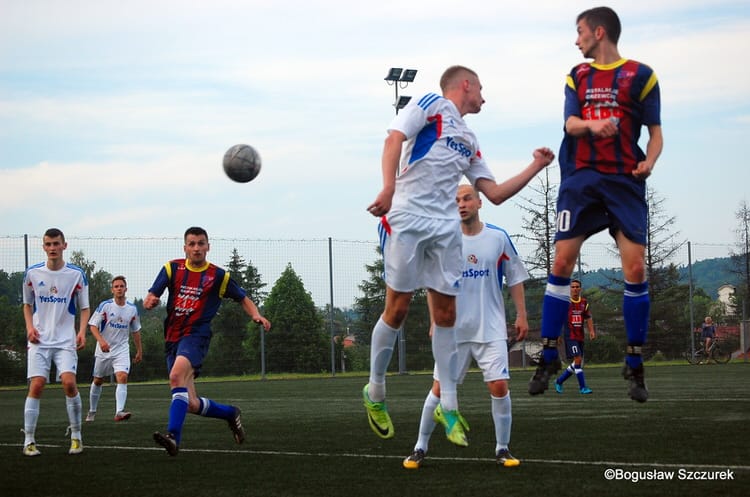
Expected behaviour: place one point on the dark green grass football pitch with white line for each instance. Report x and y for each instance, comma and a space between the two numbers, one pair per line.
309, 437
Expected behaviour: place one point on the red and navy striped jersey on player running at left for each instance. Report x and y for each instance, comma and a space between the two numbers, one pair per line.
194, 296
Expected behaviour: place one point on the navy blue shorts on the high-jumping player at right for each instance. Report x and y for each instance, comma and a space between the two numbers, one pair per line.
590, 201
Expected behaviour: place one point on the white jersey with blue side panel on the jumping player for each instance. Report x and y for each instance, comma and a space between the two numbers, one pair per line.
439, 149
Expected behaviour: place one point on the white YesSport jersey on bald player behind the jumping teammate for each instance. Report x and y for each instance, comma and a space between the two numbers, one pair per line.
480, 308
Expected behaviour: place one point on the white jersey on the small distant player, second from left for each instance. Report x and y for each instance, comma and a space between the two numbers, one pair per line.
115, 323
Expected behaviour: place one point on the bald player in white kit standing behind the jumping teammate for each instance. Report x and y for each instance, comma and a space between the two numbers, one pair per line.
481, 332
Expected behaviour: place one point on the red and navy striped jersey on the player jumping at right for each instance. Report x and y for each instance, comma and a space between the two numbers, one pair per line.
626, 92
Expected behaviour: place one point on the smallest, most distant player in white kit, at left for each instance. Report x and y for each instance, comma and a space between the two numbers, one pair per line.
112, 324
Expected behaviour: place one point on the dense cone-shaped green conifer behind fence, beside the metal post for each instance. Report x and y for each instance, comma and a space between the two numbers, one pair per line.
297, 341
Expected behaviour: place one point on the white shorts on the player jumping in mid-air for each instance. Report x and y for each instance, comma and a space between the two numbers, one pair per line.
421, 252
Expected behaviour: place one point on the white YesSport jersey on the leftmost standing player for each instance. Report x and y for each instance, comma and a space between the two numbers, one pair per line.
53, 296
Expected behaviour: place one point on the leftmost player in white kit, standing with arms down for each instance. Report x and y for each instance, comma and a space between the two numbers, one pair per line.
52, 291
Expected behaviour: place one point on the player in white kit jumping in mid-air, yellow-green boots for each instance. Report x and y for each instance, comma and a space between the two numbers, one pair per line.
428, 149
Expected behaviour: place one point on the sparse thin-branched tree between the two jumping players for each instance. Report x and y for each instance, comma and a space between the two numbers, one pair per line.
539, 223
